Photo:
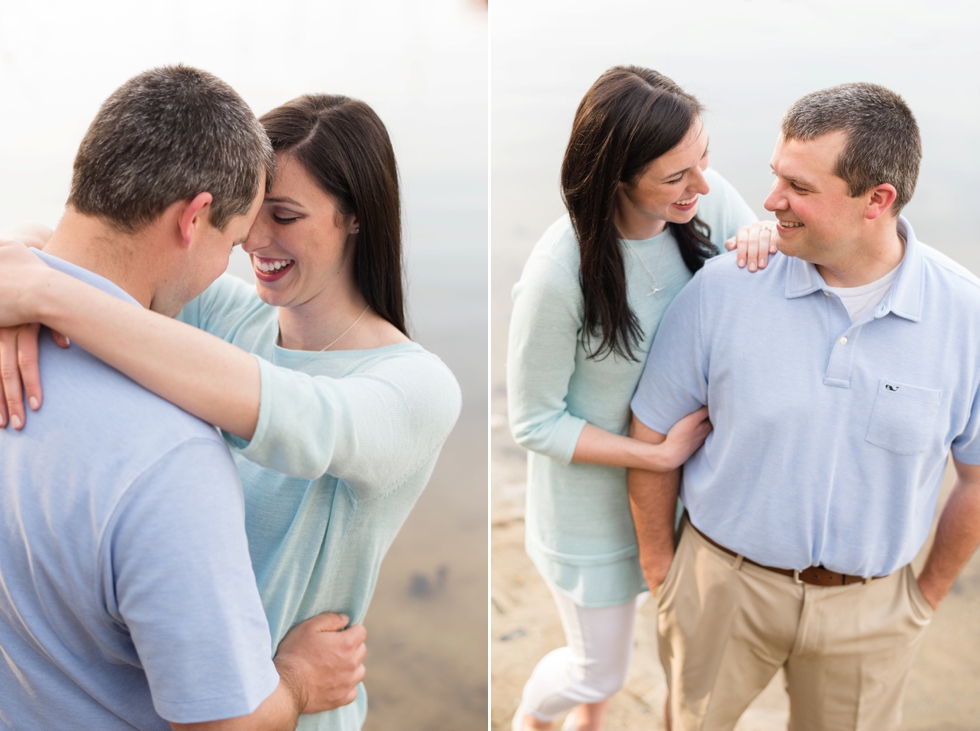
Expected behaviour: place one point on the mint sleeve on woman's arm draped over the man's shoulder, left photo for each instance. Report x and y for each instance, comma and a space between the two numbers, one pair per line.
372, 429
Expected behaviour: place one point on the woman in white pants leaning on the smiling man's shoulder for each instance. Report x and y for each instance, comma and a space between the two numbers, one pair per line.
644, 213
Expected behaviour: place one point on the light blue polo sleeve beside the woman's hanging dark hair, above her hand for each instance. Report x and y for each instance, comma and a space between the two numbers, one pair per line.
675, 378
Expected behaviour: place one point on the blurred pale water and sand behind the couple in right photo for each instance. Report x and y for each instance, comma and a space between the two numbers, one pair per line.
746, 60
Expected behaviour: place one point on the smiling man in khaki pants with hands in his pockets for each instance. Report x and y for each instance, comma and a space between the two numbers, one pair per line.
818, 485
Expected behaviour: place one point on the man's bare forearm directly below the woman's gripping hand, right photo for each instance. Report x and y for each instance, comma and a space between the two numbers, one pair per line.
653, 500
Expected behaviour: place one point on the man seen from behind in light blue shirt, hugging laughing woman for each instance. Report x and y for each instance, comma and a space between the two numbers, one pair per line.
129, 599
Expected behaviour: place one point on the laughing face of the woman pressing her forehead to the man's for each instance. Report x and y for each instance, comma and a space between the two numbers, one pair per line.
299, 242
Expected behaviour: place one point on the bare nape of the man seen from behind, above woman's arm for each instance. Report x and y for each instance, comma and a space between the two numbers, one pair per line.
92, 244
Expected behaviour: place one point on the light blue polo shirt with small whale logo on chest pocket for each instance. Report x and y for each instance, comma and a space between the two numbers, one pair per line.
830, 438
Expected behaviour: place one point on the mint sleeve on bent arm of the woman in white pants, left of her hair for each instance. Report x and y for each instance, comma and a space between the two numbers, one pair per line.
544, 332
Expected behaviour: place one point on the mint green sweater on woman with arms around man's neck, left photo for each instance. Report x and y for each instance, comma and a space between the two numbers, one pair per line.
343, 447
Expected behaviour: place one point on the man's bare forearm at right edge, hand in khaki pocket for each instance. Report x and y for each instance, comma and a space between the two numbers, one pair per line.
957, 536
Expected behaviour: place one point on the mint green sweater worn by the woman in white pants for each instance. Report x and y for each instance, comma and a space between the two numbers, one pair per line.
579, 532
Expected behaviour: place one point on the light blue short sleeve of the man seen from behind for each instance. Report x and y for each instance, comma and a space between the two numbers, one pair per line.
177, 576
